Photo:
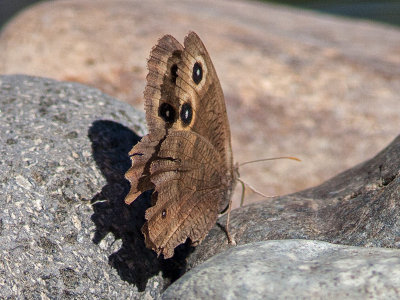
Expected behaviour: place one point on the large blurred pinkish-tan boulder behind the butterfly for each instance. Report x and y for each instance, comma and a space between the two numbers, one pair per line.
296, 82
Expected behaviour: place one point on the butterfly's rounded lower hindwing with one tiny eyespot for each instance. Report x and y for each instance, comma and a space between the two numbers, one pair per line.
187, 180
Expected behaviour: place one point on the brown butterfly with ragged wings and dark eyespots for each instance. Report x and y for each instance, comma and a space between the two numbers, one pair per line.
186, 157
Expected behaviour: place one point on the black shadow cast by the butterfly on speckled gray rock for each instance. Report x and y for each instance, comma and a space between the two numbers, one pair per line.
111, 143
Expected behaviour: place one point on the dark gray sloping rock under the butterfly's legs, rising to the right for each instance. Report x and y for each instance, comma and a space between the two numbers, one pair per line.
357, 207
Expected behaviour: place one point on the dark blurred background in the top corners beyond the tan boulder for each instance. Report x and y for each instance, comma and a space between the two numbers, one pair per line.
381, 11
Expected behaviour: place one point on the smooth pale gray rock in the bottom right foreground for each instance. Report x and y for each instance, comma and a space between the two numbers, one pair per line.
293, 269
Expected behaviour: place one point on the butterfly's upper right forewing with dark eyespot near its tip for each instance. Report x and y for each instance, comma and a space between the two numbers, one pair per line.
198, 84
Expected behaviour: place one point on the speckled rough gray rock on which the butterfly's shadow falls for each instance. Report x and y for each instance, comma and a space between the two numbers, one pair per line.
62, 159
